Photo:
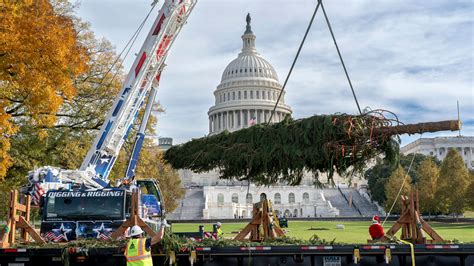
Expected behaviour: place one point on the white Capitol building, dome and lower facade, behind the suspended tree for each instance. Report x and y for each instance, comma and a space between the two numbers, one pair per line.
246, 95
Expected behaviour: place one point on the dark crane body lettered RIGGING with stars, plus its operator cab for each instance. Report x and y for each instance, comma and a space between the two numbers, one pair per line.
77, 214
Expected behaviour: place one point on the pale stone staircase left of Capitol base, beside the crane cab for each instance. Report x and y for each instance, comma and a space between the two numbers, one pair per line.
190, 207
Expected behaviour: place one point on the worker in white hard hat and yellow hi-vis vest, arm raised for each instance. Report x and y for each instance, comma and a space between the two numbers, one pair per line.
138, 249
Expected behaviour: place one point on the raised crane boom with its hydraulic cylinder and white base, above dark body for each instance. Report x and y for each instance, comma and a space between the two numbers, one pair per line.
140, 85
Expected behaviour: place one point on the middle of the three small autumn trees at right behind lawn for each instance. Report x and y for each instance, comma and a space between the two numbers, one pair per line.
427, 185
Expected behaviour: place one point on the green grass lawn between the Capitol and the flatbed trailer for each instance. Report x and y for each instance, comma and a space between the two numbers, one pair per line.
353, 232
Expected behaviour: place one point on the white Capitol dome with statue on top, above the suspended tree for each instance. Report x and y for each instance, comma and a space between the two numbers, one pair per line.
248, 91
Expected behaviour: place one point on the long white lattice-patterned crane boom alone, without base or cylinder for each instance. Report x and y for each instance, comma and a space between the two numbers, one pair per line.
142, 76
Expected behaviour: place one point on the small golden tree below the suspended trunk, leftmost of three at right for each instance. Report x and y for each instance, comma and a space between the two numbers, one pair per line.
392, 187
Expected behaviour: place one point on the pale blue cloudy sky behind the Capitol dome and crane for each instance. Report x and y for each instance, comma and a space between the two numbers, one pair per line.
414, 58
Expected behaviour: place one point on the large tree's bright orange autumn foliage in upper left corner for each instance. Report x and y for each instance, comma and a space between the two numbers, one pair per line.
39, 58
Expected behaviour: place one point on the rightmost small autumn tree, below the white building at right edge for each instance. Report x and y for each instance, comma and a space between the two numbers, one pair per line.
453, 184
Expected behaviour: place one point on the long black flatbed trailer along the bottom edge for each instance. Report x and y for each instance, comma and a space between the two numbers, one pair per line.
366, 254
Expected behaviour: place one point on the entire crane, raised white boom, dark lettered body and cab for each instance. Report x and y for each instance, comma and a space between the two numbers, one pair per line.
81, 203
